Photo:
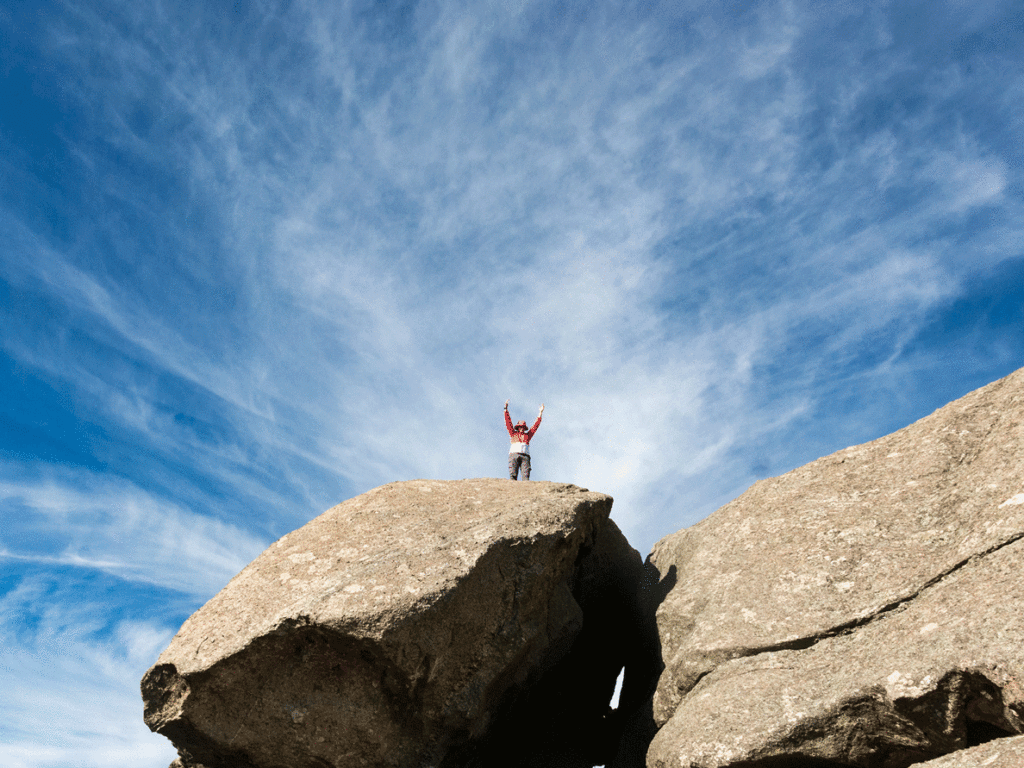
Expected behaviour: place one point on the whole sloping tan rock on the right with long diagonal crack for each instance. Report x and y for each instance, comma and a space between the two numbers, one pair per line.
867, 610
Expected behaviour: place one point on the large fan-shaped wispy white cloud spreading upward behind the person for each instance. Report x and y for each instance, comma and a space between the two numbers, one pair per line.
628, 226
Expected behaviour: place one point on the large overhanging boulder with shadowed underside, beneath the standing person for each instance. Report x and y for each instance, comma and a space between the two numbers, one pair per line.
410, 627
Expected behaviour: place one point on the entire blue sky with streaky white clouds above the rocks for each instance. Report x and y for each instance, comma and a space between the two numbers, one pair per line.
260, 258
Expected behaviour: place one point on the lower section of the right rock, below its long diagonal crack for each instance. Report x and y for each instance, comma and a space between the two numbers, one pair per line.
914, 685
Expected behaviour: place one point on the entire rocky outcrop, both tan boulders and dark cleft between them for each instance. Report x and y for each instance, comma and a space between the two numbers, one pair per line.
867, 610
